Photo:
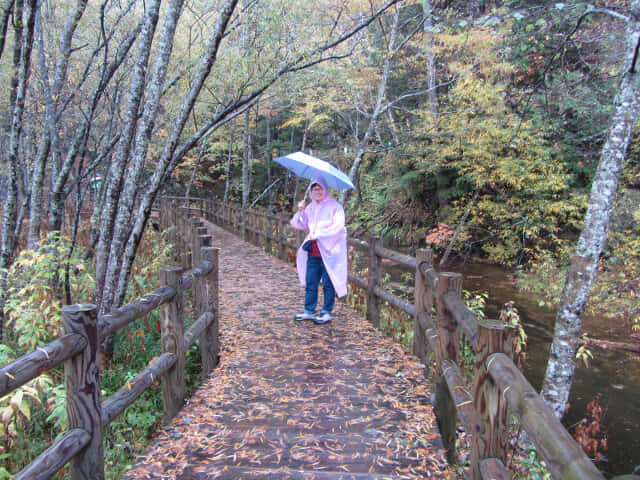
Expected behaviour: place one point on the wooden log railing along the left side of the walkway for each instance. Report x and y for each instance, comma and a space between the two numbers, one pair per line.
78, 349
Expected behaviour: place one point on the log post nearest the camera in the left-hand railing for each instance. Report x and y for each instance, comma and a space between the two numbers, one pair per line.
84, 398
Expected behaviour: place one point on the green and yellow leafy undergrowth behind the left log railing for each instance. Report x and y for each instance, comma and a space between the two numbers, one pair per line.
34, 416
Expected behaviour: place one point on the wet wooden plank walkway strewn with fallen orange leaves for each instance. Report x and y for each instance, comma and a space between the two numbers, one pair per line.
295, 400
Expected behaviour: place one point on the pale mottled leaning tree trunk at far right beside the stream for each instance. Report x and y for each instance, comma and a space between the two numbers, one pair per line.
562, 362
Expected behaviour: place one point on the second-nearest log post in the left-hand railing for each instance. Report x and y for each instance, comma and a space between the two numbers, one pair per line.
172, 326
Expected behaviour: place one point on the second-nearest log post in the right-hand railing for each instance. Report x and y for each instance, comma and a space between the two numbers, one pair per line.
447, 350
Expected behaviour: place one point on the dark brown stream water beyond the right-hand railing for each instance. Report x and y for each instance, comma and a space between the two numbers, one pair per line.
613, 375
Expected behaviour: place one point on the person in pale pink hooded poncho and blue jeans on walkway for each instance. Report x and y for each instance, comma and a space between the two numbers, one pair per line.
323, 253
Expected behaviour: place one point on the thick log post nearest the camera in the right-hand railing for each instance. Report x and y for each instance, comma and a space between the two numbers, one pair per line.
490, 438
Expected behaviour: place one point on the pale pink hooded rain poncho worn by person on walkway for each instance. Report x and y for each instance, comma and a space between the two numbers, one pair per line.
325, 222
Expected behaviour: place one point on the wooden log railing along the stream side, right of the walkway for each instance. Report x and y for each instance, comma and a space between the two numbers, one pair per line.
441, 322
